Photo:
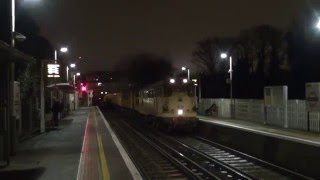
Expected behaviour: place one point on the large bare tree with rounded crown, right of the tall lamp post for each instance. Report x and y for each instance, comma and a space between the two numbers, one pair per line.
264, 48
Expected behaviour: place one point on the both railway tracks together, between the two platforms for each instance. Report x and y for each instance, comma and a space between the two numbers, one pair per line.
160, 156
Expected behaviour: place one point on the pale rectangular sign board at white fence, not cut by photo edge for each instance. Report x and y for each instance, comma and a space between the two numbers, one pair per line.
275, 95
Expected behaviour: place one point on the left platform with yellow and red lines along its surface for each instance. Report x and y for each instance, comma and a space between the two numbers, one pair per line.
82, 147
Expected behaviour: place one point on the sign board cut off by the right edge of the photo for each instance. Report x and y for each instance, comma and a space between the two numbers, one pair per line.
312, 97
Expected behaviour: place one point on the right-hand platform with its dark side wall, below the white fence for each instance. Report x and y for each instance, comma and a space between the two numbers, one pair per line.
291, 149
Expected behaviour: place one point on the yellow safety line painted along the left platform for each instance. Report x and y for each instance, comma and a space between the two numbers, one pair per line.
103, 161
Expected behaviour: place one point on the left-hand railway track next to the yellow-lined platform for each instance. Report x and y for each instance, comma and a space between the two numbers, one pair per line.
147, 151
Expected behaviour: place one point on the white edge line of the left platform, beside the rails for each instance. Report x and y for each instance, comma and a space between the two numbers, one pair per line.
132, 168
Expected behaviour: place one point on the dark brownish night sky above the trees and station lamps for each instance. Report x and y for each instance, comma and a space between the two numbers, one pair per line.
103, 31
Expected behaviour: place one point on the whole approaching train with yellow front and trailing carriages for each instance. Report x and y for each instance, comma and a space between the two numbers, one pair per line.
170, 104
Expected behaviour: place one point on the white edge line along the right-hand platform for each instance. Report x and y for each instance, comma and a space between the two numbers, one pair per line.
280, 136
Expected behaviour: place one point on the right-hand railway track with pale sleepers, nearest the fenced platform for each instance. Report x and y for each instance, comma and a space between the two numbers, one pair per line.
253, 167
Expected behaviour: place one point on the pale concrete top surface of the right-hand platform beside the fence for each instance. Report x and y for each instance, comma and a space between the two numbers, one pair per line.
308, 138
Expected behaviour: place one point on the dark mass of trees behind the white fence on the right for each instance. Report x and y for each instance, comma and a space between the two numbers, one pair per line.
263, 56
